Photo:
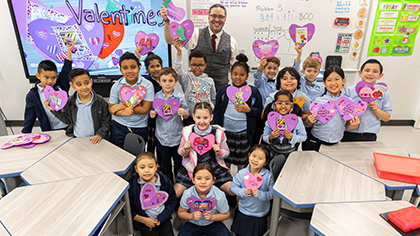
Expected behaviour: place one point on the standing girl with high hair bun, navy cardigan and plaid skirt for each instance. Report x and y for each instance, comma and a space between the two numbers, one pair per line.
239, 120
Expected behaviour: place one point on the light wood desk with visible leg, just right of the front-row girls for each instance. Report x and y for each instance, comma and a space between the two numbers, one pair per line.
309, 177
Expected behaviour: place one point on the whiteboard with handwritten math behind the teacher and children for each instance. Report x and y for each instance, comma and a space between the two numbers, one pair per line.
267, 20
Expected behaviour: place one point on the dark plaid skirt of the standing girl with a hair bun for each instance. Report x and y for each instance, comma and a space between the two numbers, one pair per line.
238, 147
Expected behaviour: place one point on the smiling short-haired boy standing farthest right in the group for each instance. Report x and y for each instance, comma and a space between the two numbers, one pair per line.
380, 109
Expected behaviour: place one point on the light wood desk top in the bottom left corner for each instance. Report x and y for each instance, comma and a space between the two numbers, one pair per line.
69, 207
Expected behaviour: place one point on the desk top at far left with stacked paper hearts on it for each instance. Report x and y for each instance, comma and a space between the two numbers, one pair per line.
16, 159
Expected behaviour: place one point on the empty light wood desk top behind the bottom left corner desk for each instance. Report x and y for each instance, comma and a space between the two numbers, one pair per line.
77, 158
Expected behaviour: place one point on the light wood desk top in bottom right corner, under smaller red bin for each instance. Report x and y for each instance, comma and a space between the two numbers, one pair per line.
354, 218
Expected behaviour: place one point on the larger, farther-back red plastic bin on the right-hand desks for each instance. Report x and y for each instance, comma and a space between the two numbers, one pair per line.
399, 168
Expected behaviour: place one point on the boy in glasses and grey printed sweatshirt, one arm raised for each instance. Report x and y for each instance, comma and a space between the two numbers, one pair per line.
197, 86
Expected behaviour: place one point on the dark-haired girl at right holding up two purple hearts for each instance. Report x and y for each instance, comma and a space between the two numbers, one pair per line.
332, 131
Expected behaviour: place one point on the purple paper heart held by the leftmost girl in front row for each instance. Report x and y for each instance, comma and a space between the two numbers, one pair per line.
150, 197
